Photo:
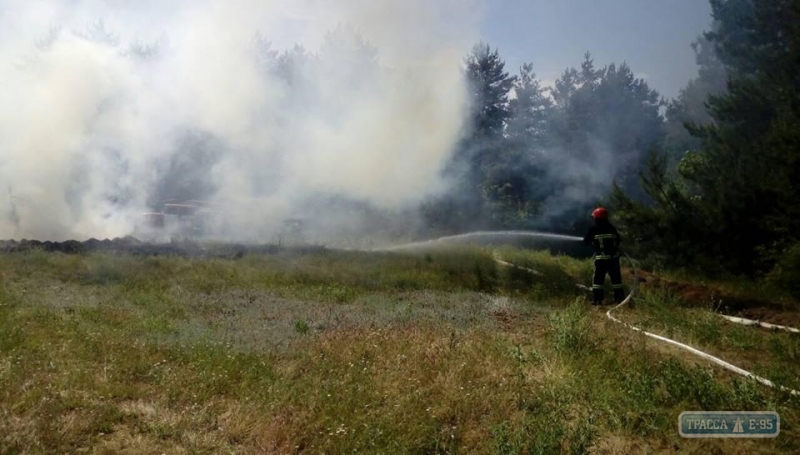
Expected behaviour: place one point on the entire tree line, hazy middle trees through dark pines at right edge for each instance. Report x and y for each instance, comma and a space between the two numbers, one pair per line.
709, 180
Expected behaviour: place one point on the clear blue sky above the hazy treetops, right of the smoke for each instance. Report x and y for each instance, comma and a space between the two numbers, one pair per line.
653, 36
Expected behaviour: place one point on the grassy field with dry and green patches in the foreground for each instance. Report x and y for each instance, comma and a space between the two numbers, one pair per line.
430, 352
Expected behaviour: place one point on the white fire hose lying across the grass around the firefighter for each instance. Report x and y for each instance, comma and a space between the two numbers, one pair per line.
694, 351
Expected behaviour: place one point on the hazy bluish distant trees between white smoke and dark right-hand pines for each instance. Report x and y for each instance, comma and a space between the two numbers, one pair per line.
537, 157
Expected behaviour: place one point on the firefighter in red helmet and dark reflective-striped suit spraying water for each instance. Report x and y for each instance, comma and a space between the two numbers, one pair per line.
605, 239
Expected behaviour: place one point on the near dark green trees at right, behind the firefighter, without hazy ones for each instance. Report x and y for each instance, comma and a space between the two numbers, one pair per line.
731, 202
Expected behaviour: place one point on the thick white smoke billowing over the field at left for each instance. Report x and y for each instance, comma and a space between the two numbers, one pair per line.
98, 95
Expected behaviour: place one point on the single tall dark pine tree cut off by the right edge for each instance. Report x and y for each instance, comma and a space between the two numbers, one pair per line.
751, 153
